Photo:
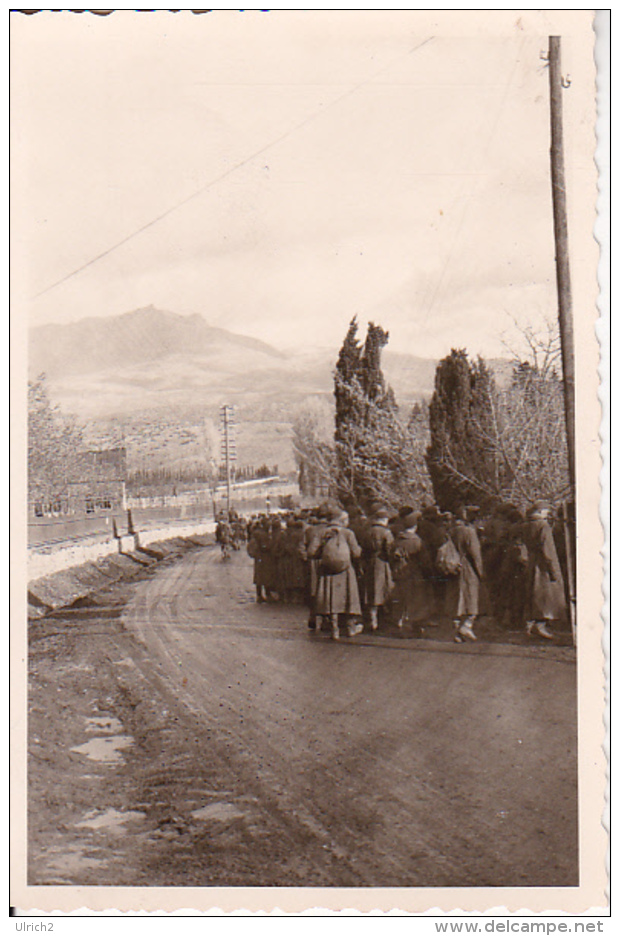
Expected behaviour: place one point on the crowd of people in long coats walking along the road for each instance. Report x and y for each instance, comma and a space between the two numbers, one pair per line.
414, 568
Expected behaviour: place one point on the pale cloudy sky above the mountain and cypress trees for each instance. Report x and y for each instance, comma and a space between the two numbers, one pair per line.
304, 168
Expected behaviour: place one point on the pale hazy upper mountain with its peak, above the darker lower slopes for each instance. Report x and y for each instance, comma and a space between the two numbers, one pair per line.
152, 359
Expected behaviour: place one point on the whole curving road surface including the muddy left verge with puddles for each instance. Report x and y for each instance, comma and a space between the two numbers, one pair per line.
181, 734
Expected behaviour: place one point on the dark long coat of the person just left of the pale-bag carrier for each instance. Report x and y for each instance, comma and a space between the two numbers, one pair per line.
413, 593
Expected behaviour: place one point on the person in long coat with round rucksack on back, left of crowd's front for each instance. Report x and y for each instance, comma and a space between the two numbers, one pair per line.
337, 594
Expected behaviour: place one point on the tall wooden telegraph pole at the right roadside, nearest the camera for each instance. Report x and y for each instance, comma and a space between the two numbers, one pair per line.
565, 304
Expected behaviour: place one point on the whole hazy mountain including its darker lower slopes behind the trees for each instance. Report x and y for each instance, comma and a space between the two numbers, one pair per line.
162, 377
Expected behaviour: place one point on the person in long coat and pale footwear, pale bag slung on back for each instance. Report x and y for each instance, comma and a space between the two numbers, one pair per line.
466, 540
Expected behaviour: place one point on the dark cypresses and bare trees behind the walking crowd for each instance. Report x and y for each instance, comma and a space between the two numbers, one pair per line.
476, 442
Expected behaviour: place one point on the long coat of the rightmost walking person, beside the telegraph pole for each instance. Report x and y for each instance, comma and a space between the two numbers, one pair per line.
545, 586
